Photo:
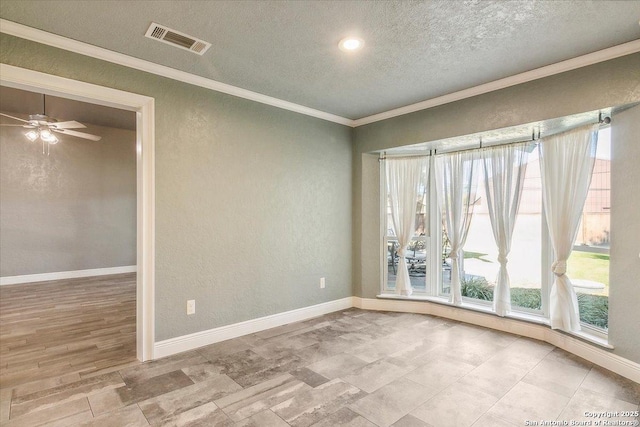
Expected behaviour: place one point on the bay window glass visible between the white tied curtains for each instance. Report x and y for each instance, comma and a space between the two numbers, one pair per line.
531, 254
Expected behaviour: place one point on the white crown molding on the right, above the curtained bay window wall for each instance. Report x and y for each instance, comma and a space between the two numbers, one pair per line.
538, 73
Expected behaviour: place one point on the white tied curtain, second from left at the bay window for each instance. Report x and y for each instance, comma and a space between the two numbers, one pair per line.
456, 194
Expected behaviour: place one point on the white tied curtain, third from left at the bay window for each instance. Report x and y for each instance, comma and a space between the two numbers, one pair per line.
504, 169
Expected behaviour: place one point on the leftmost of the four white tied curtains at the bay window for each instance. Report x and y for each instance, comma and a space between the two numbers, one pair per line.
404, 176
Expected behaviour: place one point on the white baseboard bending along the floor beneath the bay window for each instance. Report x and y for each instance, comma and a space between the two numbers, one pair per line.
592, 353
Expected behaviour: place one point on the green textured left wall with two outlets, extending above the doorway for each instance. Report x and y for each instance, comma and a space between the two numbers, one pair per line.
253, 203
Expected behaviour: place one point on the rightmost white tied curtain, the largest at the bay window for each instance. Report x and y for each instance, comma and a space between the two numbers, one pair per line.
566, 165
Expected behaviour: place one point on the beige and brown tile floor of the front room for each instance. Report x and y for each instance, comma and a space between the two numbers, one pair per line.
350, 368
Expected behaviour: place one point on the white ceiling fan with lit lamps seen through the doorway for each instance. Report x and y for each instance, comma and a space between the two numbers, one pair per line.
43, 127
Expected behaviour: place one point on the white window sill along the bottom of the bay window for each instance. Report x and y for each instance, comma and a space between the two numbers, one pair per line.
525, 317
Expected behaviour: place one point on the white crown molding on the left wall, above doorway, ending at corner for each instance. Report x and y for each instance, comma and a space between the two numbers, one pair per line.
43, 37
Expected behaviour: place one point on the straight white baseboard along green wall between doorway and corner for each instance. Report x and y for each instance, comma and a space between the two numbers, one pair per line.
211, 336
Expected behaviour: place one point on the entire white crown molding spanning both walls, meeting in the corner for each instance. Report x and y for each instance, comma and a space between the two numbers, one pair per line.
39, 36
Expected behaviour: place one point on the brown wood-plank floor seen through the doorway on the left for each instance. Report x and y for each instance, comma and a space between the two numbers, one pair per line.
83, 325
